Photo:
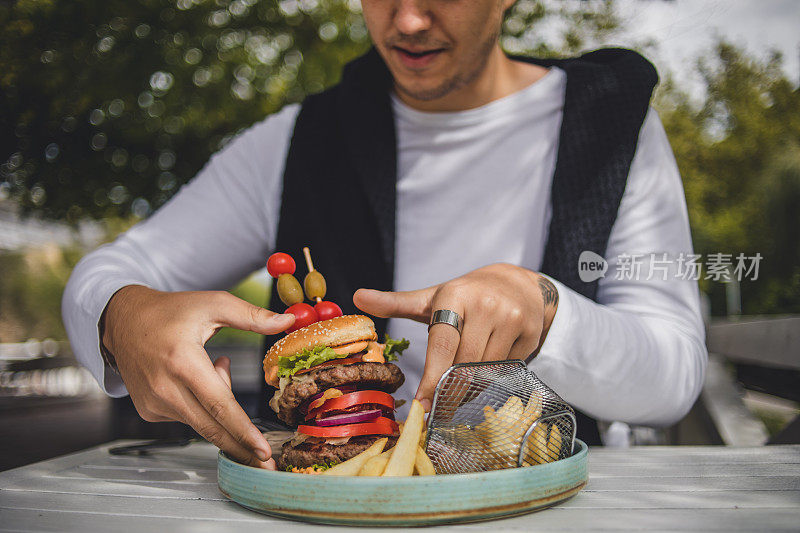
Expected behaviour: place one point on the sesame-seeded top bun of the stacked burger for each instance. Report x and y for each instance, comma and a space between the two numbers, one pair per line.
334, 332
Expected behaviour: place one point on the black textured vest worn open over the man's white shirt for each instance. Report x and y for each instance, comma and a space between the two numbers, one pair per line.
339, 193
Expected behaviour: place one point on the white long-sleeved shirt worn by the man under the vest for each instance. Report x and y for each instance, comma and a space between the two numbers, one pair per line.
473, 189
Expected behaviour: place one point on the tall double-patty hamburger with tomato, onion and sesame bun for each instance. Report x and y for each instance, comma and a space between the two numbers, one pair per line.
334, 383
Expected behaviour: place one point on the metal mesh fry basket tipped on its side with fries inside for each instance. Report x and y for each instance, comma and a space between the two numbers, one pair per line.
494, 415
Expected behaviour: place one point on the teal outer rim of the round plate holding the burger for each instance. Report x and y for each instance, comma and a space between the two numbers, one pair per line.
403, 501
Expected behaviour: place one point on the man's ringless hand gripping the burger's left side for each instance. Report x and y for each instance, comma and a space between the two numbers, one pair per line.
157, 340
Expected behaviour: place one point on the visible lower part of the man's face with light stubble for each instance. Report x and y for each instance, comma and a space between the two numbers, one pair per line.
434, 47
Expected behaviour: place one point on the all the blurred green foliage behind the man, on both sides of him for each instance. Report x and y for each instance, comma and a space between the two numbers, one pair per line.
107, 107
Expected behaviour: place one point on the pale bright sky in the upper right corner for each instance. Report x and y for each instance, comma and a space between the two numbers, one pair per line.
684, 29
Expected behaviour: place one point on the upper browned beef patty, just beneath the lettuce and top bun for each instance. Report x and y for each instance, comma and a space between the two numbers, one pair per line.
367, 376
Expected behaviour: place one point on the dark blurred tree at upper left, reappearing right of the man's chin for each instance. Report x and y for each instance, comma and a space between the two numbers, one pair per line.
108, 106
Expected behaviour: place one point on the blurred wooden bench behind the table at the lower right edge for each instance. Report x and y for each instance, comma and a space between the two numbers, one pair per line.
752, 385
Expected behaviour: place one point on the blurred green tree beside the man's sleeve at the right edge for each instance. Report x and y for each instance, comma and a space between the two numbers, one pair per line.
738, 151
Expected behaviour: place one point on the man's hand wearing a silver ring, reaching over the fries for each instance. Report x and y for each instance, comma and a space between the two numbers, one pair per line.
506, 311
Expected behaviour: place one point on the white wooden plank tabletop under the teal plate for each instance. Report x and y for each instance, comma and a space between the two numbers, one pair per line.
645, 488
